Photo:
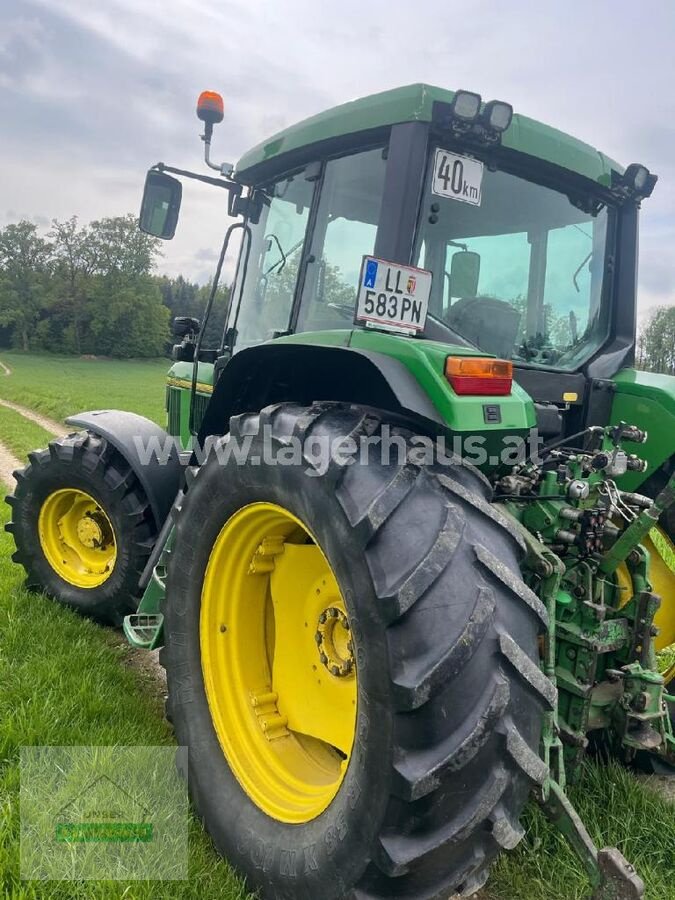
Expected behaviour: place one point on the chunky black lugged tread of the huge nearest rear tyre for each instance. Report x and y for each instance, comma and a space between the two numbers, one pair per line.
436, 846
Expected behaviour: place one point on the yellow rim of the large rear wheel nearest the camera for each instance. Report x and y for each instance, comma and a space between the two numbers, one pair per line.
278, 662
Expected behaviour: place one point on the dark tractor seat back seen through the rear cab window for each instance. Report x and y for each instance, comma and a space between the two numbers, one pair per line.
490, 324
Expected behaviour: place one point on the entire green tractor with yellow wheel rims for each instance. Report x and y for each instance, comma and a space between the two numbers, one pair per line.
406, 543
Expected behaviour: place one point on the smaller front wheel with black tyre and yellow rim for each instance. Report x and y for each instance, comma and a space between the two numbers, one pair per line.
82, 526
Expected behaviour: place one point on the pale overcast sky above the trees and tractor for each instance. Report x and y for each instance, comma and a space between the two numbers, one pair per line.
91, 93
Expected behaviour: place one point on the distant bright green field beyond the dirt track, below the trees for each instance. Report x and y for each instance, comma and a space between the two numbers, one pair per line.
62, 385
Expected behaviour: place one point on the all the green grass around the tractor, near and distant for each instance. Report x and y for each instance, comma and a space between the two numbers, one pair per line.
67, 681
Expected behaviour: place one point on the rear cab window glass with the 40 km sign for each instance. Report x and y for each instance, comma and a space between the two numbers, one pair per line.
521, 267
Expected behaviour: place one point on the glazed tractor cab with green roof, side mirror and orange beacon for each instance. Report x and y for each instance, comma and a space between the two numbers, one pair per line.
521, 239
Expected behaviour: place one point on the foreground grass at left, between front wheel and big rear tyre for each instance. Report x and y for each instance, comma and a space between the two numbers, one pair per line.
65, 681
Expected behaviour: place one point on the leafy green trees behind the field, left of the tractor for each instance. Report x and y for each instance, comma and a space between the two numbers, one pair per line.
92, 290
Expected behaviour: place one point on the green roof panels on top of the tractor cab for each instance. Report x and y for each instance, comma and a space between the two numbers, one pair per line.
413, 103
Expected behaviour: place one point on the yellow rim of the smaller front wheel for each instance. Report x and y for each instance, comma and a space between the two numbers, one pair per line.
77, 538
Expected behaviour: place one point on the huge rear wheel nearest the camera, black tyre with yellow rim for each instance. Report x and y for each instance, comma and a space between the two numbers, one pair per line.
445, 642
